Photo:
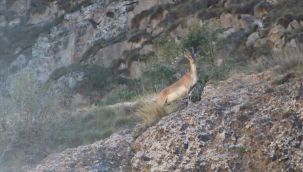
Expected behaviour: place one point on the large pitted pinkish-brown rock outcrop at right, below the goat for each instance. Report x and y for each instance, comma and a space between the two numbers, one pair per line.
211, 135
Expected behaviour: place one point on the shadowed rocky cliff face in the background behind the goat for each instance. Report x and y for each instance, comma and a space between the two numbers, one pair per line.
45, 38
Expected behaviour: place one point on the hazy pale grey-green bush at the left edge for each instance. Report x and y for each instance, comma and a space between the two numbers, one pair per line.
27, 112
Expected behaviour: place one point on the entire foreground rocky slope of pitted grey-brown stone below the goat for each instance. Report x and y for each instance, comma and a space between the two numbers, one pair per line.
246, 123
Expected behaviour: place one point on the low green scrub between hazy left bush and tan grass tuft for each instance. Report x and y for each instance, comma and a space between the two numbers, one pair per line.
98, 124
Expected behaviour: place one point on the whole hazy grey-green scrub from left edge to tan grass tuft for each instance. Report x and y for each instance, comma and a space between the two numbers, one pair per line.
34, 123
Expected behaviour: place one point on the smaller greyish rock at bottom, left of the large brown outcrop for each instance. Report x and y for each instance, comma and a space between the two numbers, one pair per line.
112, 154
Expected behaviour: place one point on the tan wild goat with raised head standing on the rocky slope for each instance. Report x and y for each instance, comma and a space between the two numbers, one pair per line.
181, 87
